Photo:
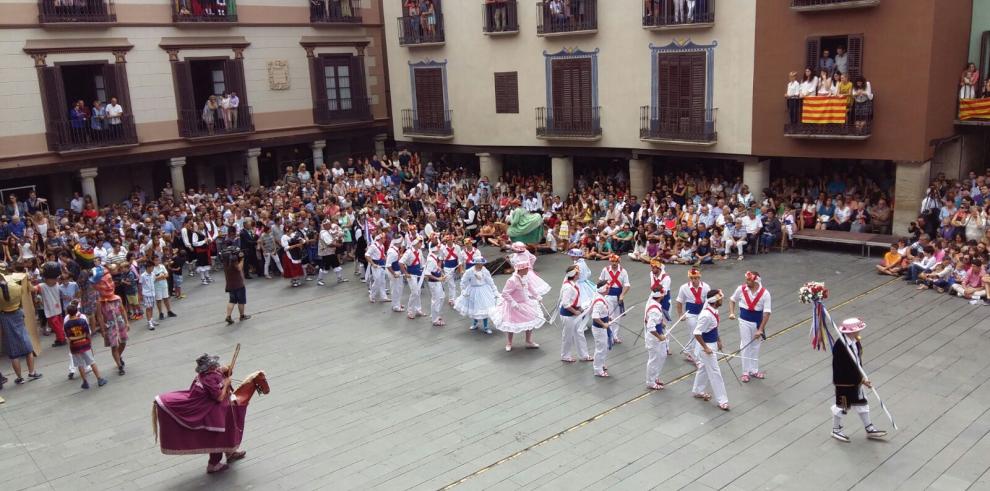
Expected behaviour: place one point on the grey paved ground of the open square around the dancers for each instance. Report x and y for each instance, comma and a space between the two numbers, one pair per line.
365, 399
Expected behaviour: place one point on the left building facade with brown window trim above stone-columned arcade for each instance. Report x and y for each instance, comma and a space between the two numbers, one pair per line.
304, 82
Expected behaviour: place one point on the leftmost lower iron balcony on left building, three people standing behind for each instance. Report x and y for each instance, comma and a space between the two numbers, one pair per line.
84, 134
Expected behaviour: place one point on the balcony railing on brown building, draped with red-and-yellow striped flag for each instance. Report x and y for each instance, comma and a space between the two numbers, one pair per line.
845, 120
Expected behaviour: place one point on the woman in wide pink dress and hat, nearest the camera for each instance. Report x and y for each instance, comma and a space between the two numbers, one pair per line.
518, 308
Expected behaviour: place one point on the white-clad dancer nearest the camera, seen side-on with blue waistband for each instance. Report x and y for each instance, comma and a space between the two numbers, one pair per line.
706, 335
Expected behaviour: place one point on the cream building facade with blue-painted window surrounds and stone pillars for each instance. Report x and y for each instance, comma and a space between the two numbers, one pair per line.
551, 81
